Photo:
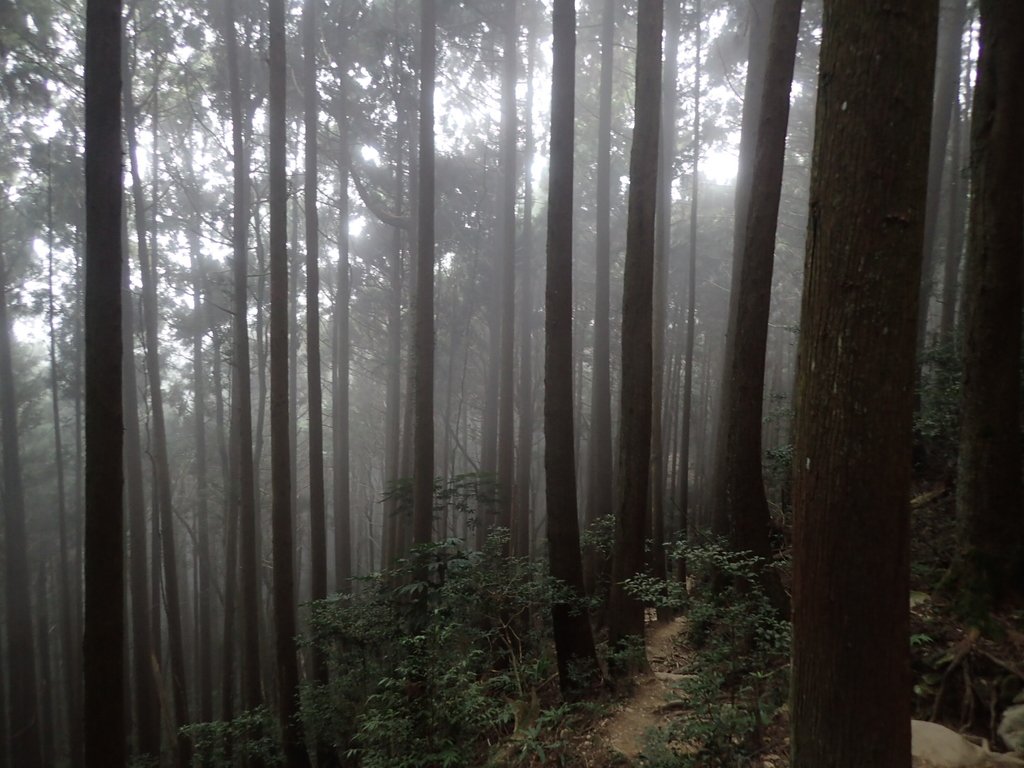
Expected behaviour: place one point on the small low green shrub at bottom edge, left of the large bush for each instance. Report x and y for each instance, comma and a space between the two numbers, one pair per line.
251, 737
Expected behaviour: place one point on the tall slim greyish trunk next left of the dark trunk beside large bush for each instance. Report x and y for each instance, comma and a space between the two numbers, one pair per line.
244, 490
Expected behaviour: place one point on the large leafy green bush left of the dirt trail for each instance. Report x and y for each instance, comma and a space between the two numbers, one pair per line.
437, 671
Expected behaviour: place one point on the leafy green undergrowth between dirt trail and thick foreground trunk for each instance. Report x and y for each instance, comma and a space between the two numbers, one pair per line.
740, 676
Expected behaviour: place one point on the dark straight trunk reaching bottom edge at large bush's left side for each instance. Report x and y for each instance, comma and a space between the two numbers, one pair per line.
281, 472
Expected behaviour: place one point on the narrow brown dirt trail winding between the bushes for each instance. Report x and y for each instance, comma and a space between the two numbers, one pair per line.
625, 731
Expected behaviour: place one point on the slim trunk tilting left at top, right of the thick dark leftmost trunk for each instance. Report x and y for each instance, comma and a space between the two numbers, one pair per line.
159, 446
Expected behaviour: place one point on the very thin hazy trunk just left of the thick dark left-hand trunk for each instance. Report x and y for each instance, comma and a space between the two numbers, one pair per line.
69, 630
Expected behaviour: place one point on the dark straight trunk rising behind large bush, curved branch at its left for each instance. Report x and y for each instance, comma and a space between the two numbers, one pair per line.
423, 432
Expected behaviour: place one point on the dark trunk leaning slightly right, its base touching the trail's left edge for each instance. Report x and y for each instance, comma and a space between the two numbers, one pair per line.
626, 613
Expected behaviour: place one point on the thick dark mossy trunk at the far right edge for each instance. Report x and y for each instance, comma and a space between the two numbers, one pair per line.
990, 567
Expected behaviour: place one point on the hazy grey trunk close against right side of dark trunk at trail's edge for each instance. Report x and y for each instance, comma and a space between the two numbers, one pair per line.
663, 248
